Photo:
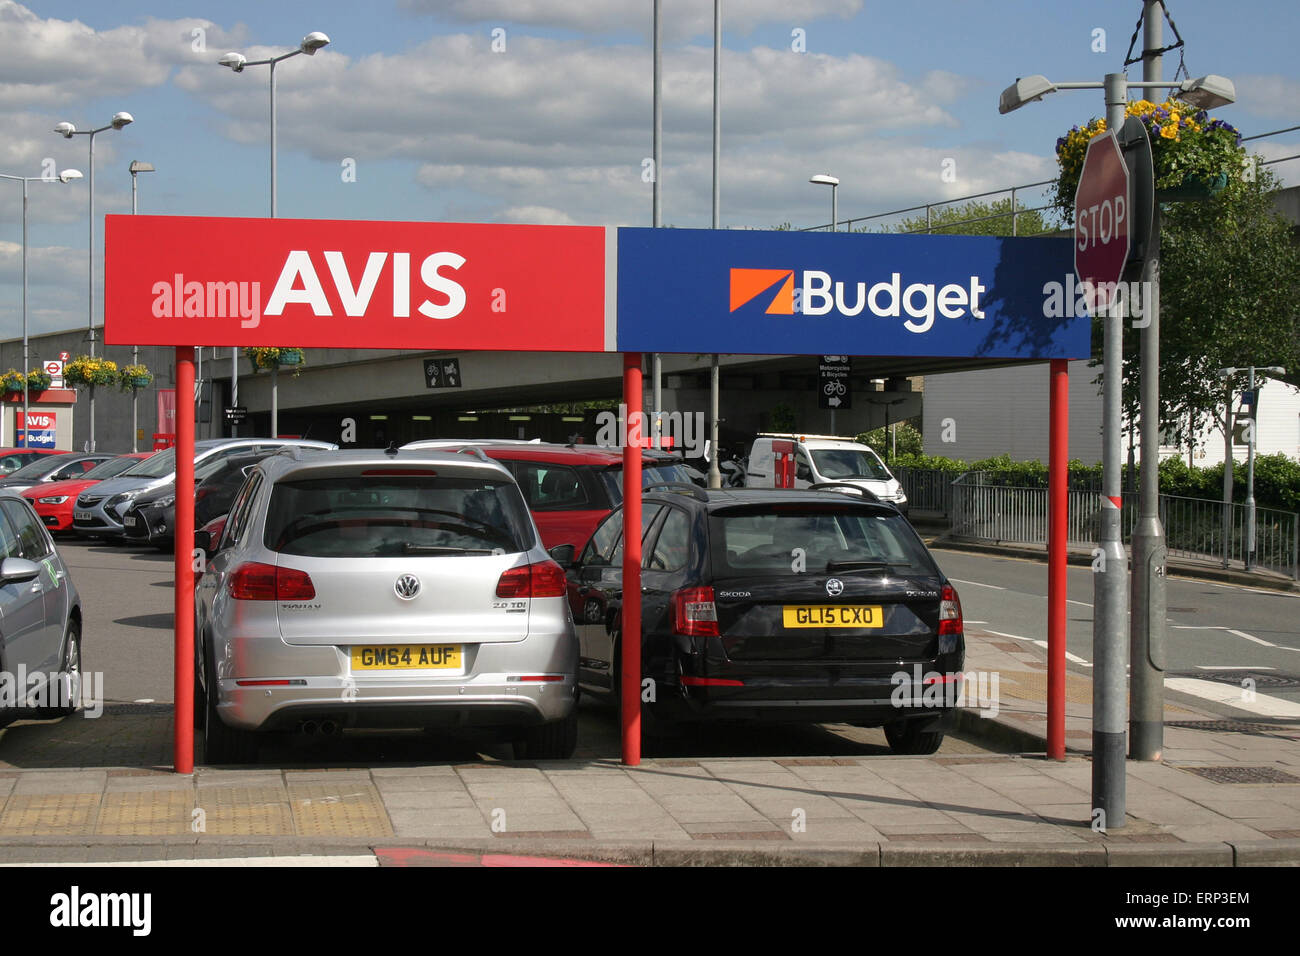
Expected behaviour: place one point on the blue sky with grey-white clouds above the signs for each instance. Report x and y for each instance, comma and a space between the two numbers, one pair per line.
540, 111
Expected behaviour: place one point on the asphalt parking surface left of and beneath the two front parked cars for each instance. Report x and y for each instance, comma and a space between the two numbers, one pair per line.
127, 596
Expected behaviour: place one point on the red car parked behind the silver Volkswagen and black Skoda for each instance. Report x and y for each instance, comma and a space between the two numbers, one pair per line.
570, 488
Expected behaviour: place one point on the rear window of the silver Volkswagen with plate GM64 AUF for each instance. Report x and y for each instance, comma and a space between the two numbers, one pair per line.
367, 517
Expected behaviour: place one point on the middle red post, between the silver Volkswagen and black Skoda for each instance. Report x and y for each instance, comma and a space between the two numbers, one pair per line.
631, 639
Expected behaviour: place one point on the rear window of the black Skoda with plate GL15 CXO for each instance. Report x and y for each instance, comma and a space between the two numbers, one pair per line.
817, 540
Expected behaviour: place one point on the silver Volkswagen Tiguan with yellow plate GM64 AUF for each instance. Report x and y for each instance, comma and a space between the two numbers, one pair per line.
366, 589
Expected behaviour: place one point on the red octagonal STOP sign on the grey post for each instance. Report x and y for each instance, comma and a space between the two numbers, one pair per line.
1102, 220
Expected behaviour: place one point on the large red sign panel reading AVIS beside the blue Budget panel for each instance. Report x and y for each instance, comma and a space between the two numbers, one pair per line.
180, 280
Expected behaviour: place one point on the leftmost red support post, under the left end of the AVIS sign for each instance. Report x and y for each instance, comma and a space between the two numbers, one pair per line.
184, 607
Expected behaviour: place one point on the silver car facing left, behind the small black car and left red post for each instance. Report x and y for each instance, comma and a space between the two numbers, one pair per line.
99, 511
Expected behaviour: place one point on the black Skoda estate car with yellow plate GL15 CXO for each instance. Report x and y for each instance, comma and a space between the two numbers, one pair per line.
777, 605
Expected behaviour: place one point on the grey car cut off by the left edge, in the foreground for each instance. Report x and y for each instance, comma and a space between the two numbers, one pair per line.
41, 620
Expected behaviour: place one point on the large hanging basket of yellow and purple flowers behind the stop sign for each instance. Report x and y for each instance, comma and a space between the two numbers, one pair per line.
1195, 158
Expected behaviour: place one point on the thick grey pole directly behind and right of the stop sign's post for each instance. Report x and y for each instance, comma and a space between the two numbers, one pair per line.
1147, 647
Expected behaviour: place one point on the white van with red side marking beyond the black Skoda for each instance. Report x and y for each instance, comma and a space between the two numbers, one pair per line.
801, 461
